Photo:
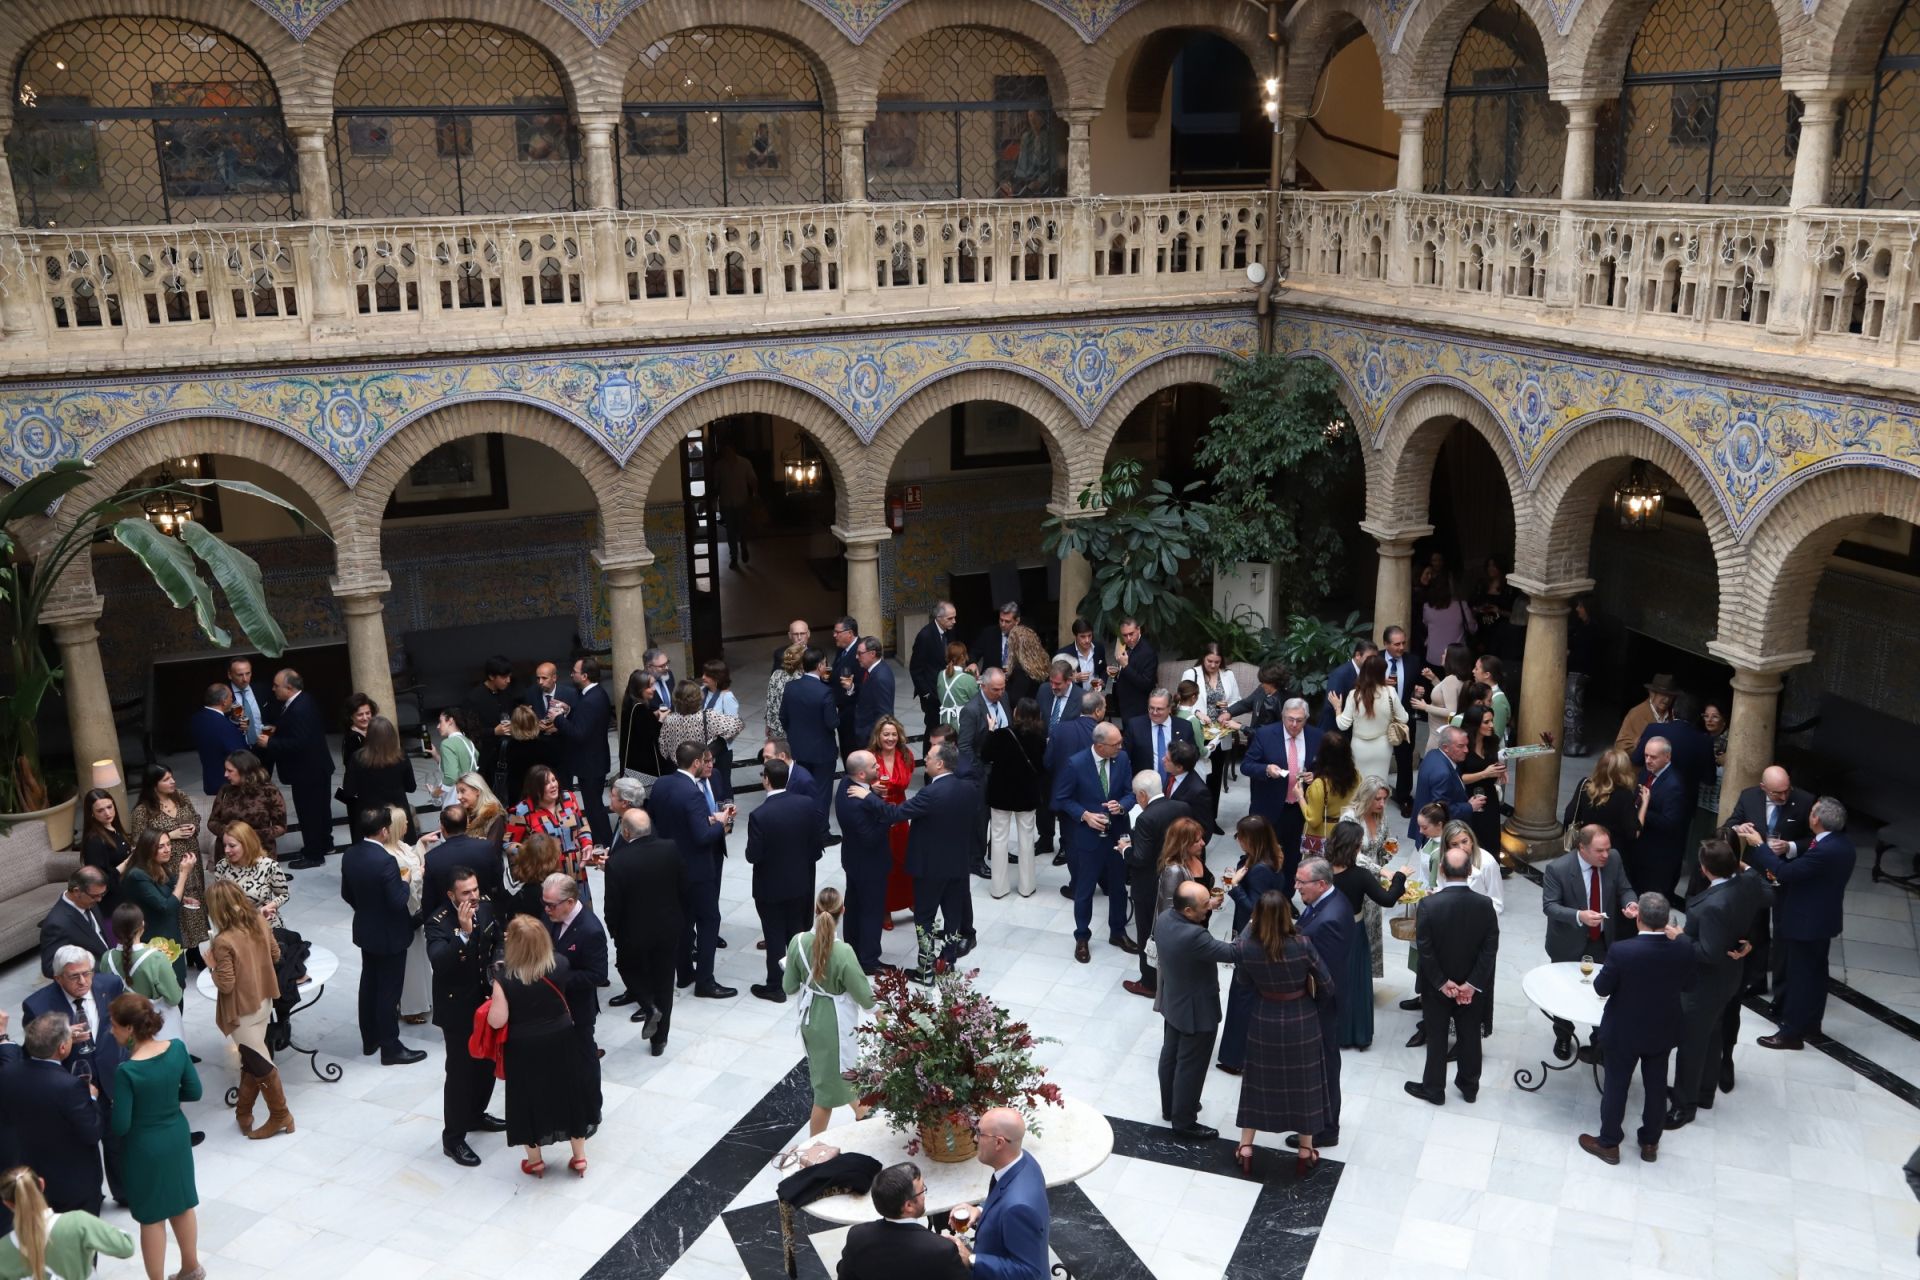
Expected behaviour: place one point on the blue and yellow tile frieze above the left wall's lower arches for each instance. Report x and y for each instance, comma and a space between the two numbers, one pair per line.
347, 414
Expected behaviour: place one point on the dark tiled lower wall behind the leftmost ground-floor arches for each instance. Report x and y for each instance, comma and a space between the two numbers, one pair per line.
444, 575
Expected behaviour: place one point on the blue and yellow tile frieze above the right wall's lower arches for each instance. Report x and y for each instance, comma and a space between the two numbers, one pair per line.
1754, 442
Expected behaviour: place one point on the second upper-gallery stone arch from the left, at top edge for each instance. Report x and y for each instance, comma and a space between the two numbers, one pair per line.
583, 72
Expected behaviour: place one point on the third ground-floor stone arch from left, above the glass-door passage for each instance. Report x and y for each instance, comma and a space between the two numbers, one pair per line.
857, 498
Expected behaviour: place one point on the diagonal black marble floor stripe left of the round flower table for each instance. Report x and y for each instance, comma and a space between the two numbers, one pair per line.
654, 1244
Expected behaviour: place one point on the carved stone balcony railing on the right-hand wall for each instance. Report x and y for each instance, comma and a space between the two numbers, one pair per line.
1823, 281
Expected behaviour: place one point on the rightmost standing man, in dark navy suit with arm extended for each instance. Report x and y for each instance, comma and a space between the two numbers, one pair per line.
1810, 916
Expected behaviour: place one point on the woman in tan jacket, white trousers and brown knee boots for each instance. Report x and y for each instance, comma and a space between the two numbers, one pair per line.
245, 957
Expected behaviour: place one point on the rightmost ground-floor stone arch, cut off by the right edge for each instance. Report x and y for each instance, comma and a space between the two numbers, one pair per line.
1765, 607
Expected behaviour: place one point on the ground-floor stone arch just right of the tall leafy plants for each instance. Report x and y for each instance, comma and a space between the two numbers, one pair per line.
1408, 444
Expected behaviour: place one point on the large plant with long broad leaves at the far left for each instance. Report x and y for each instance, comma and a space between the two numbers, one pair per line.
176, 563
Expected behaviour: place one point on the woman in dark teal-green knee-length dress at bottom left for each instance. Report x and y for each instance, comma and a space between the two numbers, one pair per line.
158, 1154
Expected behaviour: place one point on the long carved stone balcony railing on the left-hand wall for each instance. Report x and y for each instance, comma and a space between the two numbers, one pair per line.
243, 291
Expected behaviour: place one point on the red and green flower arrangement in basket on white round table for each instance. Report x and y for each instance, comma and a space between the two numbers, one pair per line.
936, 1058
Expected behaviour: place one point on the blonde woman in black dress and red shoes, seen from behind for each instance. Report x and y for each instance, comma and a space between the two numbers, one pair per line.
552, 1083
